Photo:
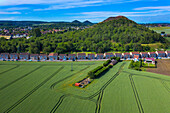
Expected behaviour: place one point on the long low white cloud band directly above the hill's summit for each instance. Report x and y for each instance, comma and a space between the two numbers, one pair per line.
100, 15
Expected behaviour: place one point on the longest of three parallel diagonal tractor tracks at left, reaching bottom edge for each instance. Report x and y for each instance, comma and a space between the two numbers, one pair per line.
32, 91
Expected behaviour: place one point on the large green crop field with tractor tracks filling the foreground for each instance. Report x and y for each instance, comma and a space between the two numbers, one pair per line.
47, 87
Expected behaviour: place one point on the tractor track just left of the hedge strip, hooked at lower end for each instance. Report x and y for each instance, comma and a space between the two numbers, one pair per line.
54, 84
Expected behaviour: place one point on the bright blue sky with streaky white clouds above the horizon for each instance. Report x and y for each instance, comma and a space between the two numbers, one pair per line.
141, 11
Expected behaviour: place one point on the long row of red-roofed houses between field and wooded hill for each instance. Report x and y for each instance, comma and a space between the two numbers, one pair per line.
56, 56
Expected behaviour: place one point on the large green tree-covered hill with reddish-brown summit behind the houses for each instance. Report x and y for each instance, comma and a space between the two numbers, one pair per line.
119, 33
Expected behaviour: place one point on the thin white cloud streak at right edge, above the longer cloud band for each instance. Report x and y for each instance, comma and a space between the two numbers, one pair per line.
166, 8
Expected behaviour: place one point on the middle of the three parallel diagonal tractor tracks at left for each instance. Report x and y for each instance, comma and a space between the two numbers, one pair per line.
7, 85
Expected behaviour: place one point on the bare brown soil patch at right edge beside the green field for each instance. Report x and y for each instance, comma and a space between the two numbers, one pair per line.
163, 67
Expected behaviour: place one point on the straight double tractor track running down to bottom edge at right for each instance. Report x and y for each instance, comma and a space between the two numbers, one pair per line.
136, 94
